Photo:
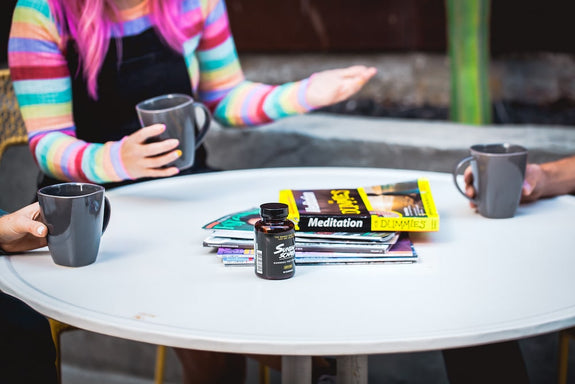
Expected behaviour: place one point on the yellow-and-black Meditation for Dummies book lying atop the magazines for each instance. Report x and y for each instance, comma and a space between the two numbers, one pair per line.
406, 206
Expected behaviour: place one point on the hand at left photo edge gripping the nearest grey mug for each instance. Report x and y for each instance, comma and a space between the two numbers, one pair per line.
19, 231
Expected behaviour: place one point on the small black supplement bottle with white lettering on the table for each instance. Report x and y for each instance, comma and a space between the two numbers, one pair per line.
274, 243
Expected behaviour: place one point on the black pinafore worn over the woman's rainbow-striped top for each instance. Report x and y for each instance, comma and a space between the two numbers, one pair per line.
147, 68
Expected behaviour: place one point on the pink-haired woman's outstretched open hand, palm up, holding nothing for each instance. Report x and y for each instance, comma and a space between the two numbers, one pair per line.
335, 85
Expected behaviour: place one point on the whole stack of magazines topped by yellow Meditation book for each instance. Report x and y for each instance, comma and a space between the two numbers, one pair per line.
338, 226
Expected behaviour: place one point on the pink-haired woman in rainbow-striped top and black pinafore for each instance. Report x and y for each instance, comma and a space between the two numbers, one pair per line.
80, 67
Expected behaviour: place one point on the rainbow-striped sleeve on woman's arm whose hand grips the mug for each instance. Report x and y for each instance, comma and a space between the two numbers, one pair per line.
43, 87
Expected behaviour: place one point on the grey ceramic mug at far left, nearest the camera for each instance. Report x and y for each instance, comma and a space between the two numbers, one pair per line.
76, 215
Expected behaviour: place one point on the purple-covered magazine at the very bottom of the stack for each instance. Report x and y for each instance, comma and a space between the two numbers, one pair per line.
401, 251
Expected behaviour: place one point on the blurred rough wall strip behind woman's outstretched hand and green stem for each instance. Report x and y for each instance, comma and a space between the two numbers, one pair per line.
415, 79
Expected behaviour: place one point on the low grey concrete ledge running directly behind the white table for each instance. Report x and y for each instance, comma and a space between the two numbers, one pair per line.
333, 140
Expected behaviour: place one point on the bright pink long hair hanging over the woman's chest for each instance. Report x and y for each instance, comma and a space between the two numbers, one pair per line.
89, 23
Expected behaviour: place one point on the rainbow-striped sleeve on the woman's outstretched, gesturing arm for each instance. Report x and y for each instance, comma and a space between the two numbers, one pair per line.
222, 87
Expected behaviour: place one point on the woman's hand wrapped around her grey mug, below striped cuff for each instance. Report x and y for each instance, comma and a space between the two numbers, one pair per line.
143, 159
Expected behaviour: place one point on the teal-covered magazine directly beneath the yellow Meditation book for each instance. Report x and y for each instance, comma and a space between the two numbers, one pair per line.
240, 225
